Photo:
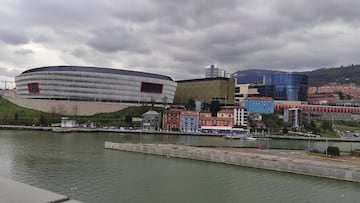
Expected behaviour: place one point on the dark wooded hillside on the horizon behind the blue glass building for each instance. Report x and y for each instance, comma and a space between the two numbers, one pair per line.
347, 74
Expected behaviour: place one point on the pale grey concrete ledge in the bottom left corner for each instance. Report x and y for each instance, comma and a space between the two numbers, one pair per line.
13, 191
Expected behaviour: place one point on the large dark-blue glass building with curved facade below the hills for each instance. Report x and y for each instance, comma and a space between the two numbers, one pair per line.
285, 86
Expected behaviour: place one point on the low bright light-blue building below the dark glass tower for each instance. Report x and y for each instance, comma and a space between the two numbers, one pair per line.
262, 105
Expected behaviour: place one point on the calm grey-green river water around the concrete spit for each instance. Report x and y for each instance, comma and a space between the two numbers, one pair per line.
77, 165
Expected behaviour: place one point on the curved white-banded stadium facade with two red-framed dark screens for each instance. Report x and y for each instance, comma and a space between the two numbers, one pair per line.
94, 84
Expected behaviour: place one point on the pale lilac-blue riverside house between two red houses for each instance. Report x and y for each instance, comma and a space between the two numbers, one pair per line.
189, 121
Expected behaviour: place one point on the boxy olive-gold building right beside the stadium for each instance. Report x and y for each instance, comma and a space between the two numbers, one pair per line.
206, 90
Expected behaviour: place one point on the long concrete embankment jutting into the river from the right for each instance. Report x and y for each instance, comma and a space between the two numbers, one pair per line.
278, 160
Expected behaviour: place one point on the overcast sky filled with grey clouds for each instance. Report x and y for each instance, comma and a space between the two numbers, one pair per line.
178, 38
